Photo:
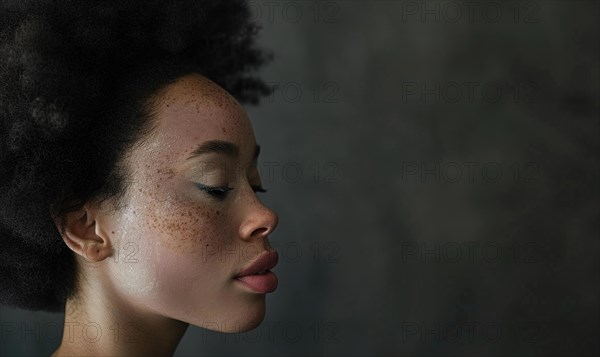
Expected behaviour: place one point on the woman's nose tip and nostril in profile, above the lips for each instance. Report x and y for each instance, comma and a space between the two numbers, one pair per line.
259, 221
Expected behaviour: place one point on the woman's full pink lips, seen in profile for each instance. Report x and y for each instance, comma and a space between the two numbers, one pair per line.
260, 283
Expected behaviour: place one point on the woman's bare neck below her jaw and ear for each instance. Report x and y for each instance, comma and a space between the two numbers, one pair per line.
103, 324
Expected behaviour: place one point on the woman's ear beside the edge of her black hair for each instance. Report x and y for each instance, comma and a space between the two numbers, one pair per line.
84, 235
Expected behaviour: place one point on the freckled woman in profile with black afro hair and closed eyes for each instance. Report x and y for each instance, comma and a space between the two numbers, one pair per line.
129, 172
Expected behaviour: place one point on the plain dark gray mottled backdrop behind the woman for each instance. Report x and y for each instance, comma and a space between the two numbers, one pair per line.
435, 168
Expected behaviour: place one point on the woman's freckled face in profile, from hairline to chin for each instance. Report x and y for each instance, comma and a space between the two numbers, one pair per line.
191, 220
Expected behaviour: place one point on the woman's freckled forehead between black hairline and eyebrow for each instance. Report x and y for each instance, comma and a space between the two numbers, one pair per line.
193, 110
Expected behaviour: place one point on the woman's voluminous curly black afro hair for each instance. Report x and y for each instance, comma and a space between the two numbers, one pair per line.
76, 80
